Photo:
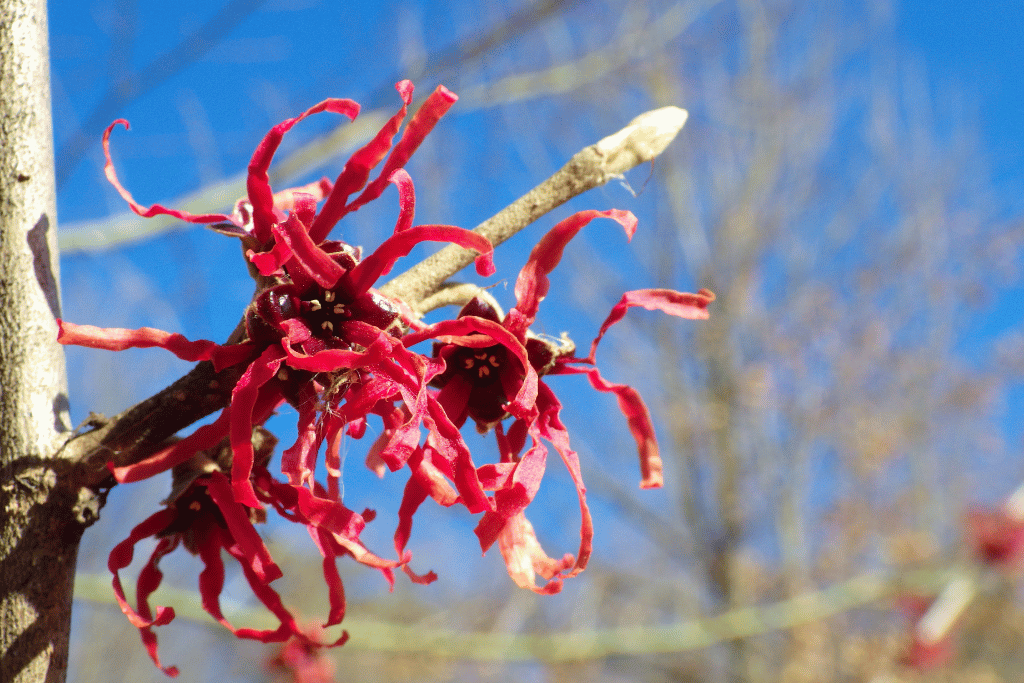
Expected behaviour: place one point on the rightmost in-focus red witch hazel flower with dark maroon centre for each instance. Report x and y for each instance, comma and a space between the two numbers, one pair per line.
493, 371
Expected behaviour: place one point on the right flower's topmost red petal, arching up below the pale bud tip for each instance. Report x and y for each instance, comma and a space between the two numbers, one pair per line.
533, 284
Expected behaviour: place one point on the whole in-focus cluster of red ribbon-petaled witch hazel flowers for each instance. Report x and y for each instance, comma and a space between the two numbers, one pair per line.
320, 337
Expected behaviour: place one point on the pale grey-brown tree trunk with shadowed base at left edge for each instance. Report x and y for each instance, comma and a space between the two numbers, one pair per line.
39, 530
